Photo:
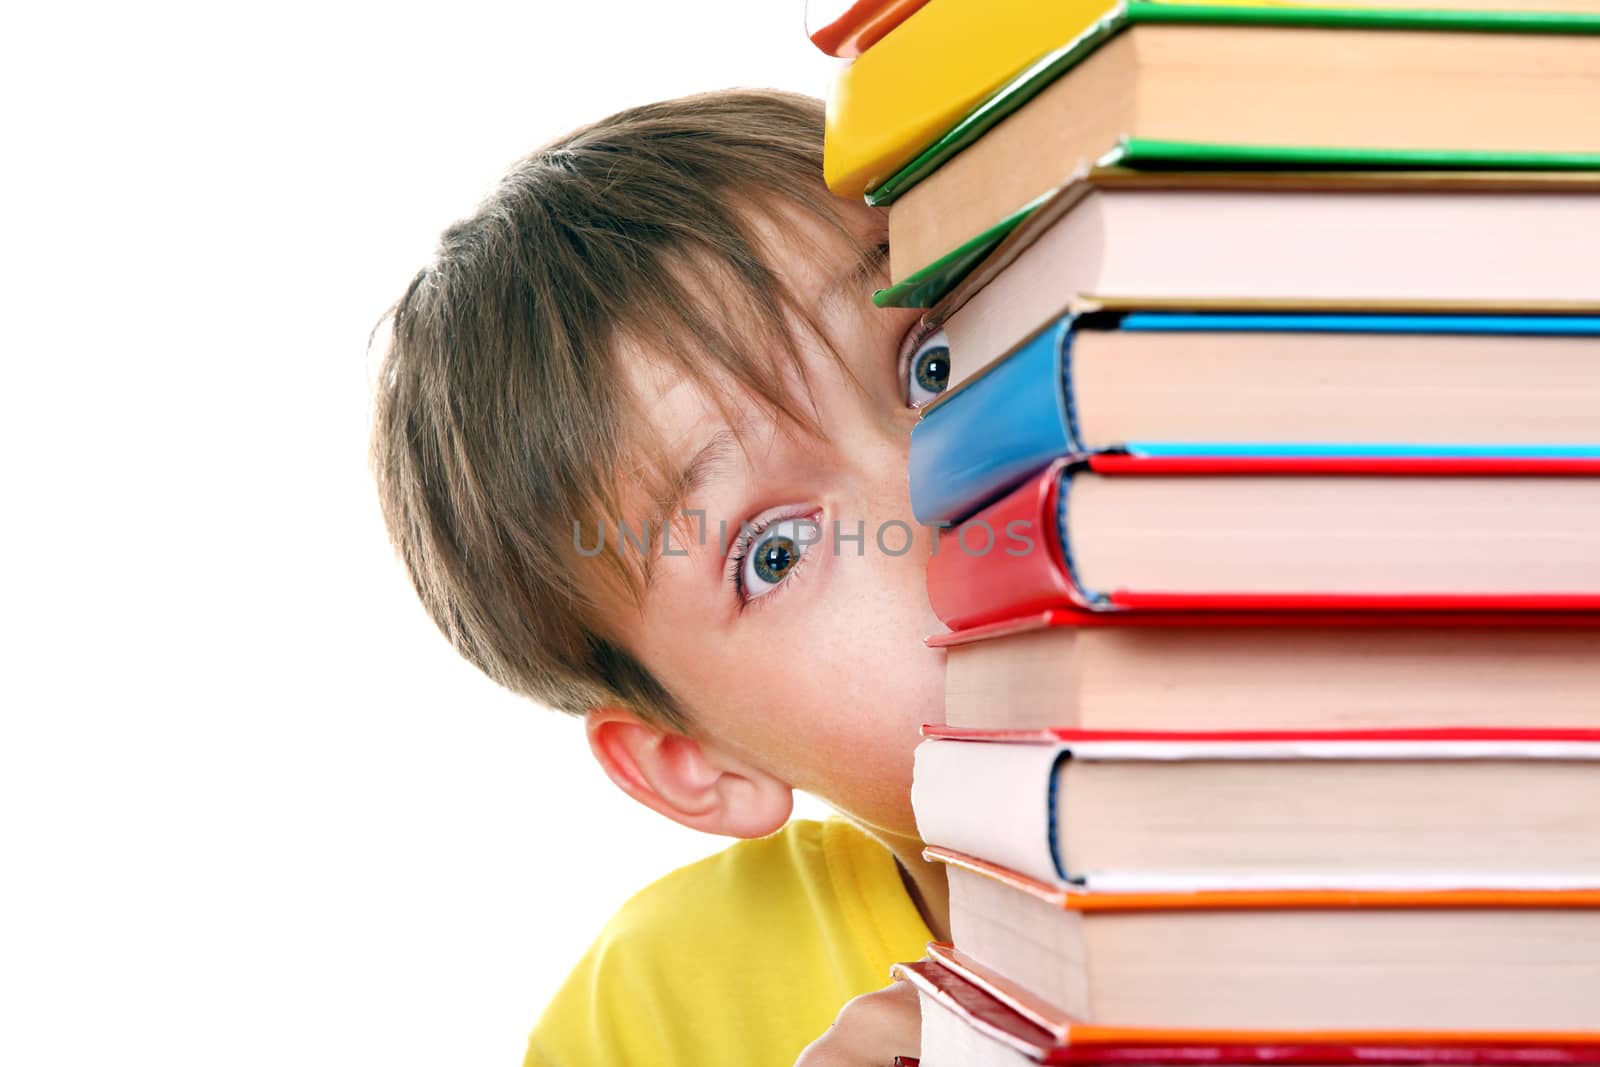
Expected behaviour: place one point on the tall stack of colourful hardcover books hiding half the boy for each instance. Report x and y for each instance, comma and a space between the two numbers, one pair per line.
1270, 489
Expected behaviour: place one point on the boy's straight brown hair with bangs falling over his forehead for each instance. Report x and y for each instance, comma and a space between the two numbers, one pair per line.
508, 422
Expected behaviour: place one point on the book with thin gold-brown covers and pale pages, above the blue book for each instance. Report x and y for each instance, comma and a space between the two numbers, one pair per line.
1338, 236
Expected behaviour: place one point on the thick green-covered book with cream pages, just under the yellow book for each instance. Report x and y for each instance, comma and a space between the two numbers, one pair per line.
954, 210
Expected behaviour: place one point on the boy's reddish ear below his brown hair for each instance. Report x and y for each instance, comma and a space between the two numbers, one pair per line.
690, 781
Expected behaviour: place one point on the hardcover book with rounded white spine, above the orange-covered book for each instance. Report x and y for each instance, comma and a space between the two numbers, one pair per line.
1209, 810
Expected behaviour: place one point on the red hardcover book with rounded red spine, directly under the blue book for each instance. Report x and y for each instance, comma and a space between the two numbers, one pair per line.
1113, 533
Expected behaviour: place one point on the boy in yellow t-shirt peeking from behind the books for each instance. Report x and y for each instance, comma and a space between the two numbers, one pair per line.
641, 441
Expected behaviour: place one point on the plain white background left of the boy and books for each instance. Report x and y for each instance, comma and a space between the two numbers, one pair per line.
254, 810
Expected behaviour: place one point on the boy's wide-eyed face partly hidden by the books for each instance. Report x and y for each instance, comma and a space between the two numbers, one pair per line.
799, 649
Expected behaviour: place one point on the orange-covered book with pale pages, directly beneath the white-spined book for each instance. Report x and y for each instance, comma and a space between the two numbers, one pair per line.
1479, 962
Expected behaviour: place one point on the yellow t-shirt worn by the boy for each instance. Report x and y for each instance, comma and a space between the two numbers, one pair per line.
738, 961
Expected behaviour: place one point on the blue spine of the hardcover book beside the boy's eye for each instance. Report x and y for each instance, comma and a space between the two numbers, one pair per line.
994, 433
